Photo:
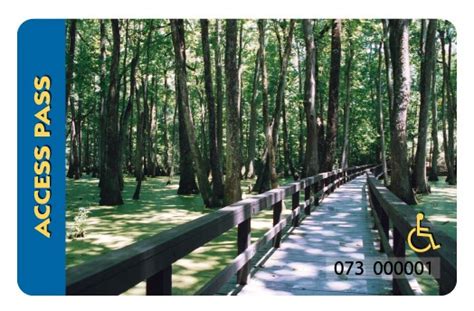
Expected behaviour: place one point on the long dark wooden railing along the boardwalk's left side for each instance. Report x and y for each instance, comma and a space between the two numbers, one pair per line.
151, 259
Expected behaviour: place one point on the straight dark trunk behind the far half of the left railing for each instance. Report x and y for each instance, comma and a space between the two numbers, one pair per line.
331, 132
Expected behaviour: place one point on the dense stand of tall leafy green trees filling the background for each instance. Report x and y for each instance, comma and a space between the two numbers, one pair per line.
147, 99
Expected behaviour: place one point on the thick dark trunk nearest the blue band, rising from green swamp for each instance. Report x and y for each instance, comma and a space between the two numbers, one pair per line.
110, 193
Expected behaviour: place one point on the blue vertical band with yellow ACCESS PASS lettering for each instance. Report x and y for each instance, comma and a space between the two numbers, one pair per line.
41, 55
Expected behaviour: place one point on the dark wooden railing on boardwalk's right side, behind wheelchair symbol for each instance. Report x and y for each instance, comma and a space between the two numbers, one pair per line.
394, 219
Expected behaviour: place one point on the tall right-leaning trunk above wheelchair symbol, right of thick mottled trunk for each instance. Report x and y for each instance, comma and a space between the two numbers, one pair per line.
427, 62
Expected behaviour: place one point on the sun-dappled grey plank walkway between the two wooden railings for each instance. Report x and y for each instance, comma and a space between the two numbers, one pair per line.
339, 229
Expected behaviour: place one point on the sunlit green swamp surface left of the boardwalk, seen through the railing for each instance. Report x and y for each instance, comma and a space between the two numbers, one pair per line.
159, 209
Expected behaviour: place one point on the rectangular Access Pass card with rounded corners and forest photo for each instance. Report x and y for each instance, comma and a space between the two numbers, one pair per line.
237, 157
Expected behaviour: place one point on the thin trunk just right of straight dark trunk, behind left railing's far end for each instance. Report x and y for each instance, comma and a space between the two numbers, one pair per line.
347, 80
